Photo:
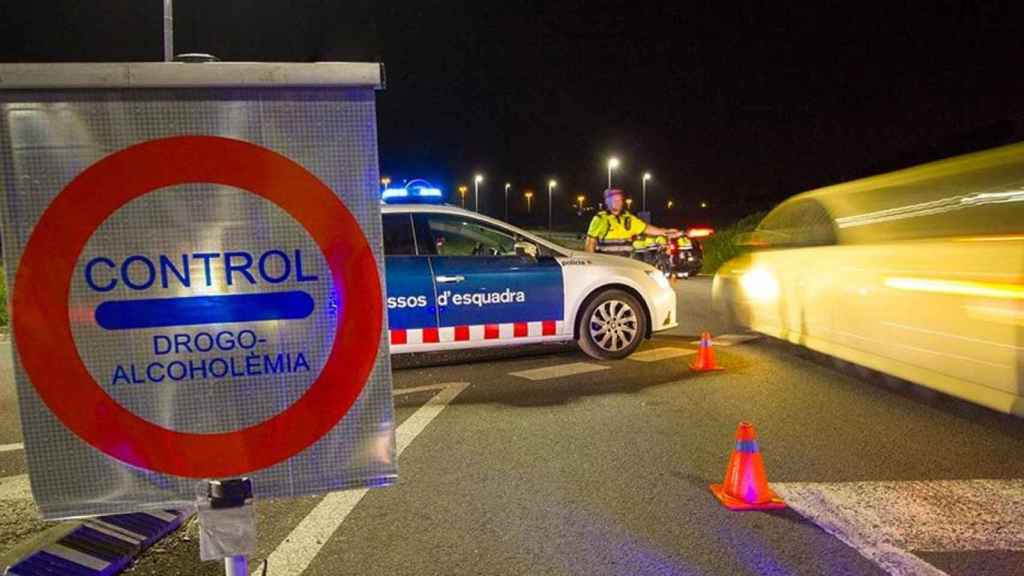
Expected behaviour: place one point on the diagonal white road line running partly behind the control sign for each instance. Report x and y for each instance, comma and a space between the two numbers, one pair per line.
295, 554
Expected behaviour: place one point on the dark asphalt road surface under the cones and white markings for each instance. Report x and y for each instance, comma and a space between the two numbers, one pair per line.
528, 469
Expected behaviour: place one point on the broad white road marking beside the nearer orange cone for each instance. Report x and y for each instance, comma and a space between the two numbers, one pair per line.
884, 521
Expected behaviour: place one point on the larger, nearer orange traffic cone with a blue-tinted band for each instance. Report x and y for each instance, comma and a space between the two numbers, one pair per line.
746, 486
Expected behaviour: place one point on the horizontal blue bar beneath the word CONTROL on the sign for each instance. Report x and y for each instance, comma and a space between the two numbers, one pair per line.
193, 311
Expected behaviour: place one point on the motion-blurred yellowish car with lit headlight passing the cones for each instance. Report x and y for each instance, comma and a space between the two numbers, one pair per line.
919, 274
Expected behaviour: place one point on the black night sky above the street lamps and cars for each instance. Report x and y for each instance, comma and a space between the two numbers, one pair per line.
736, 106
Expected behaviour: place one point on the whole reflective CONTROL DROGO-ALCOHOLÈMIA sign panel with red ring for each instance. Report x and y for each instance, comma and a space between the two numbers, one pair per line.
197, 284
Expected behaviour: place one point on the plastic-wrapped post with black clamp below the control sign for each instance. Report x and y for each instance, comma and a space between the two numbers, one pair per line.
228, 524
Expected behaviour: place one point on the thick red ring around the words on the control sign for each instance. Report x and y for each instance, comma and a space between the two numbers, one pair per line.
48, 350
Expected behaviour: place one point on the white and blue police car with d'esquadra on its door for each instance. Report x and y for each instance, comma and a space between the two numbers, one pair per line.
461, 280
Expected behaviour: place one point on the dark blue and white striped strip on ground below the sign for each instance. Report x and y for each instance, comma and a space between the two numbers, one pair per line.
101, 547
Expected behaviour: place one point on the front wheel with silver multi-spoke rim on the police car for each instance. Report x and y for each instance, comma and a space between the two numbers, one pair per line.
613, 325
